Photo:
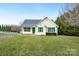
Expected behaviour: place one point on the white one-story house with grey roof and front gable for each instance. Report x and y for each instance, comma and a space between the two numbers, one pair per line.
39, 26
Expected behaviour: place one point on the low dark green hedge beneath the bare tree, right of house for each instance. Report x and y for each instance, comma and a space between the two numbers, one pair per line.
69, 30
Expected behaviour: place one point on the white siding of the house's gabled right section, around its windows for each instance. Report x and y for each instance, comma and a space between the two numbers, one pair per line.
45, 24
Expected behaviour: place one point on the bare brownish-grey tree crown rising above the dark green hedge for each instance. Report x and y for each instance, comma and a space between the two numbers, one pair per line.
71, 14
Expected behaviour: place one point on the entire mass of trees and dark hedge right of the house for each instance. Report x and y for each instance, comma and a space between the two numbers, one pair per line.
68, 22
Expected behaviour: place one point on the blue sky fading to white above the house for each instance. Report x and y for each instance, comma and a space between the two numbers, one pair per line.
16, 13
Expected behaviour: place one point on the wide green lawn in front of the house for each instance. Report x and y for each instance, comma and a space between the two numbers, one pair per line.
39, 45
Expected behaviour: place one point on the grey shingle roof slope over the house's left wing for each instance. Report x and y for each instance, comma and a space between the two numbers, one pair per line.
30, 22
